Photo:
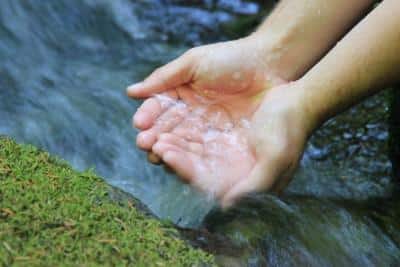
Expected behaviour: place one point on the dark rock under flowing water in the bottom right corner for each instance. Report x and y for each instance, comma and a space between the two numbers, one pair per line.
304, 231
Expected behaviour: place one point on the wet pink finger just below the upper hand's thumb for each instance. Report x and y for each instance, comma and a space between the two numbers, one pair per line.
152, 108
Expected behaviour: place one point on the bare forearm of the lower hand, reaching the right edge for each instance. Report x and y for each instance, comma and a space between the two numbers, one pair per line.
364, 62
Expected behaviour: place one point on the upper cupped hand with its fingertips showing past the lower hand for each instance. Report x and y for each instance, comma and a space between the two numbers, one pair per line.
231, 75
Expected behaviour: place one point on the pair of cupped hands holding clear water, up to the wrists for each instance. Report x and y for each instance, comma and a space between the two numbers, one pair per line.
207, 122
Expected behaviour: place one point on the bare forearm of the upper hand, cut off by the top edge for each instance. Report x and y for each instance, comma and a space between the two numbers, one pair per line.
298, 33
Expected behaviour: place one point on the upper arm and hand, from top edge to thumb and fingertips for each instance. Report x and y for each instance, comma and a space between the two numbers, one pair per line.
234, 72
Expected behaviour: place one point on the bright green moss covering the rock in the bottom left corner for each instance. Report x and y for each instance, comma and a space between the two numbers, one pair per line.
51, 215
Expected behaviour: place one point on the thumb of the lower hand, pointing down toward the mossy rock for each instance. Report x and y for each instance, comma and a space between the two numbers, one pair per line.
261, 178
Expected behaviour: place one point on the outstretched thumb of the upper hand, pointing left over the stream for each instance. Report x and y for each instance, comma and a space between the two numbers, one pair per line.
167, 77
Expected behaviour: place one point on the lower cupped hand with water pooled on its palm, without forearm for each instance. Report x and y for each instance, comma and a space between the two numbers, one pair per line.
230, 158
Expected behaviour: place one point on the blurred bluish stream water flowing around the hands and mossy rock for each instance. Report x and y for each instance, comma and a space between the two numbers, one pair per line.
63, 69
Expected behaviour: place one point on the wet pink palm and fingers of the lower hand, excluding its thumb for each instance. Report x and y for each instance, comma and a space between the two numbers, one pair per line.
208, 148
